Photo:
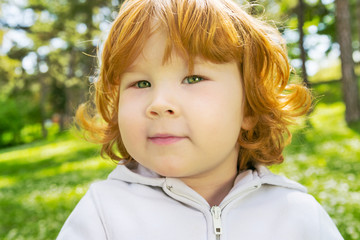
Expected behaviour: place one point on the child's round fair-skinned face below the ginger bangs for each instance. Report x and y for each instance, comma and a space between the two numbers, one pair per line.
179, 125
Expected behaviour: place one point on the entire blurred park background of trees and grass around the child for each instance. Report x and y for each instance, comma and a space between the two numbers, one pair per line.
47, 60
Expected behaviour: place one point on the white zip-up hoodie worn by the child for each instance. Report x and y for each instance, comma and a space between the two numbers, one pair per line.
137, 204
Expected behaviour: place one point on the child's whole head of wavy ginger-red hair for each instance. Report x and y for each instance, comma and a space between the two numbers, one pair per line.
218, 31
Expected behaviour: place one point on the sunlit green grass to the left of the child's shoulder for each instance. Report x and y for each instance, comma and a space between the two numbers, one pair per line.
40, 184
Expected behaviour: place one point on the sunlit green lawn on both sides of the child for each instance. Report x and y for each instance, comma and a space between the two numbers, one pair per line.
41, 182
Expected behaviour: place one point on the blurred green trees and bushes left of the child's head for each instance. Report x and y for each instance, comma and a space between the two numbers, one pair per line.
53, 70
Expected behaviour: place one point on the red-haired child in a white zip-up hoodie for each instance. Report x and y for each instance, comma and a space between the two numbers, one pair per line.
195, 104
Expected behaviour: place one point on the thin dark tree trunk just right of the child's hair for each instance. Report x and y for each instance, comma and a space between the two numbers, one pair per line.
301, 10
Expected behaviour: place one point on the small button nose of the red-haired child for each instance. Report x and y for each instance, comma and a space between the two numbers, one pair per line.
162, 106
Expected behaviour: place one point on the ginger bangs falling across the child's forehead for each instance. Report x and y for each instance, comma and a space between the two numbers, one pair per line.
205, 29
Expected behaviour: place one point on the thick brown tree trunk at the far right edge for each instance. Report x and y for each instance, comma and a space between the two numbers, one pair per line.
349, 81
